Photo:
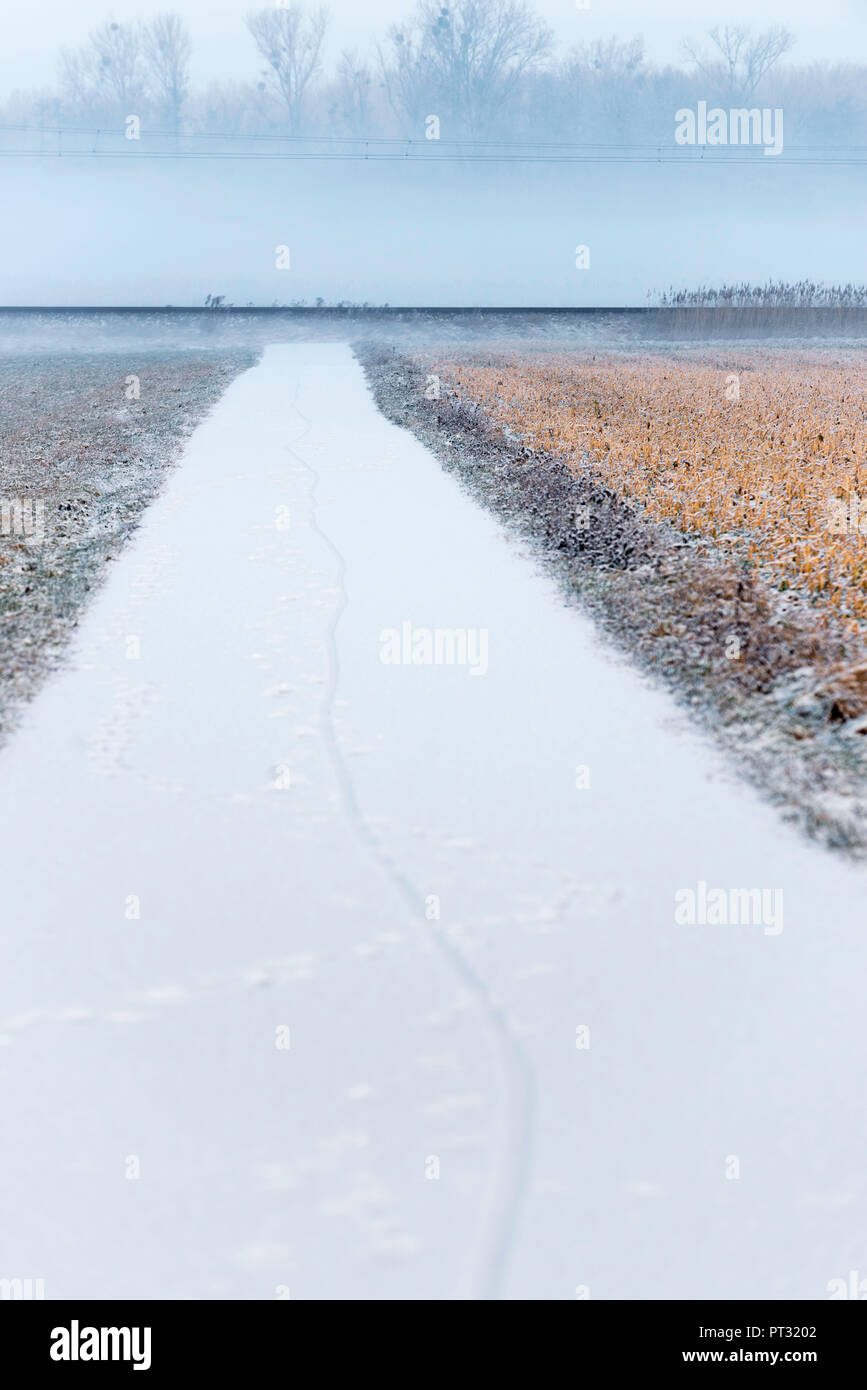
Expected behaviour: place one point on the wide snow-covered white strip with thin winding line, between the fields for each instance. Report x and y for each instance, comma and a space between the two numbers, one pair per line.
229, 826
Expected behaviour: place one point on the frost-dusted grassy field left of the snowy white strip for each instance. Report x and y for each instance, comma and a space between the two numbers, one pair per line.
85, 441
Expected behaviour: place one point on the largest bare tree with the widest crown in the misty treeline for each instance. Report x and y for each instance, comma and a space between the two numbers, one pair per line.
463, 62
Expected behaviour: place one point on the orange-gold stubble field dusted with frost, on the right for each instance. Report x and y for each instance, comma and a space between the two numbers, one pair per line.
763, 455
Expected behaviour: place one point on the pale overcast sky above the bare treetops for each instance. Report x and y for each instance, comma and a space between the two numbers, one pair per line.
33, 34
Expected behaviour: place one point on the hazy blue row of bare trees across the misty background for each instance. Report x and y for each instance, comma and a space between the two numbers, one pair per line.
483, 67
